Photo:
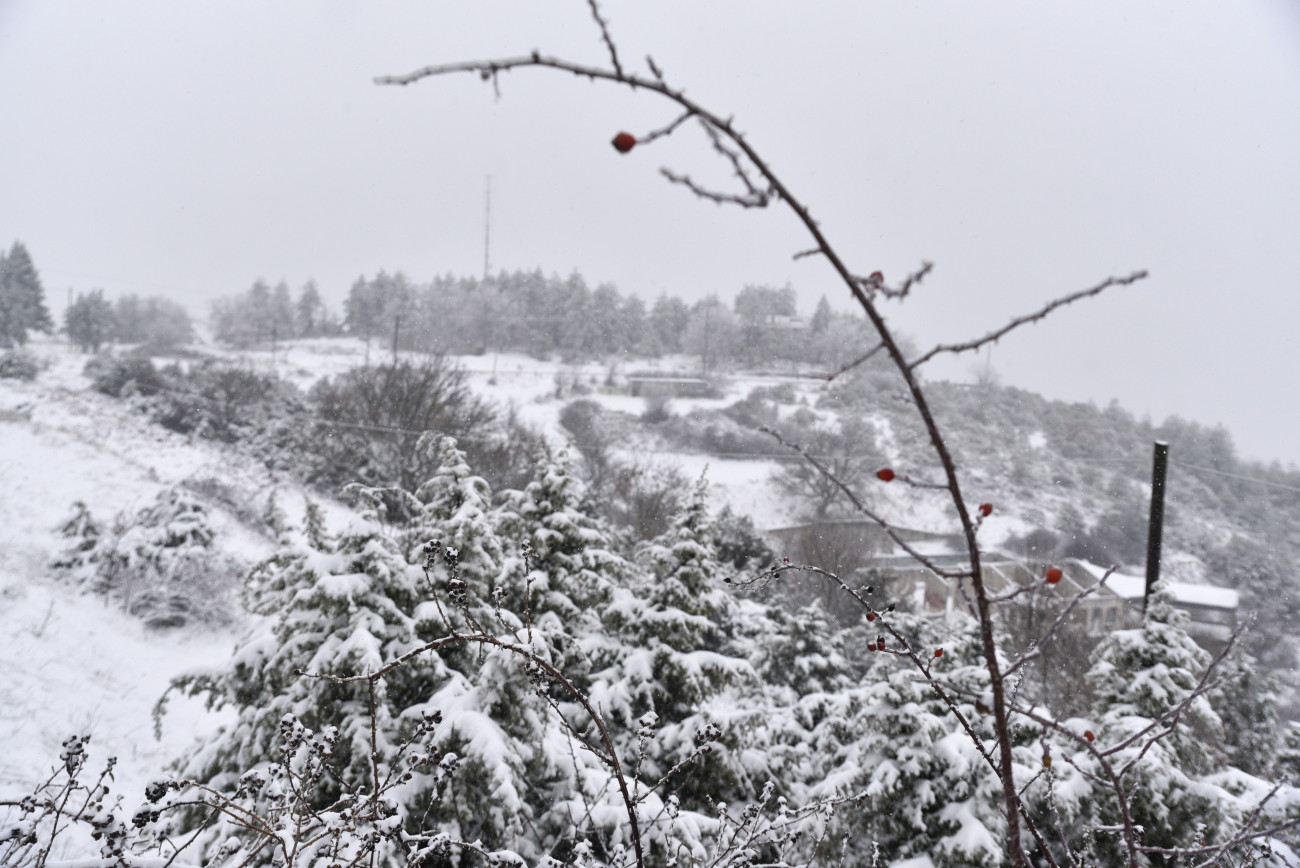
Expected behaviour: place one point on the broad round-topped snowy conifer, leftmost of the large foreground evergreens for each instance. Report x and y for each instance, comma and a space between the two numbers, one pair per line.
322, 606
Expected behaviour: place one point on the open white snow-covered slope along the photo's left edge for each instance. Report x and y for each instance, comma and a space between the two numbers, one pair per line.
72, 665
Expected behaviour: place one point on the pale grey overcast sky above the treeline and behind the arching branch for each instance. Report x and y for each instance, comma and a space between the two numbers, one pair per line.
1029, 150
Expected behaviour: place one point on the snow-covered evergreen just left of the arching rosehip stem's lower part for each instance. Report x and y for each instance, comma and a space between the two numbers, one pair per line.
925, 792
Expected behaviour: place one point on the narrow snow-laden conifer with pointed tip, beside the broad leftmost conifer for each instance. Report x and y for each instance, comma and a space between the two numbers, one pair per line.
514, 771
